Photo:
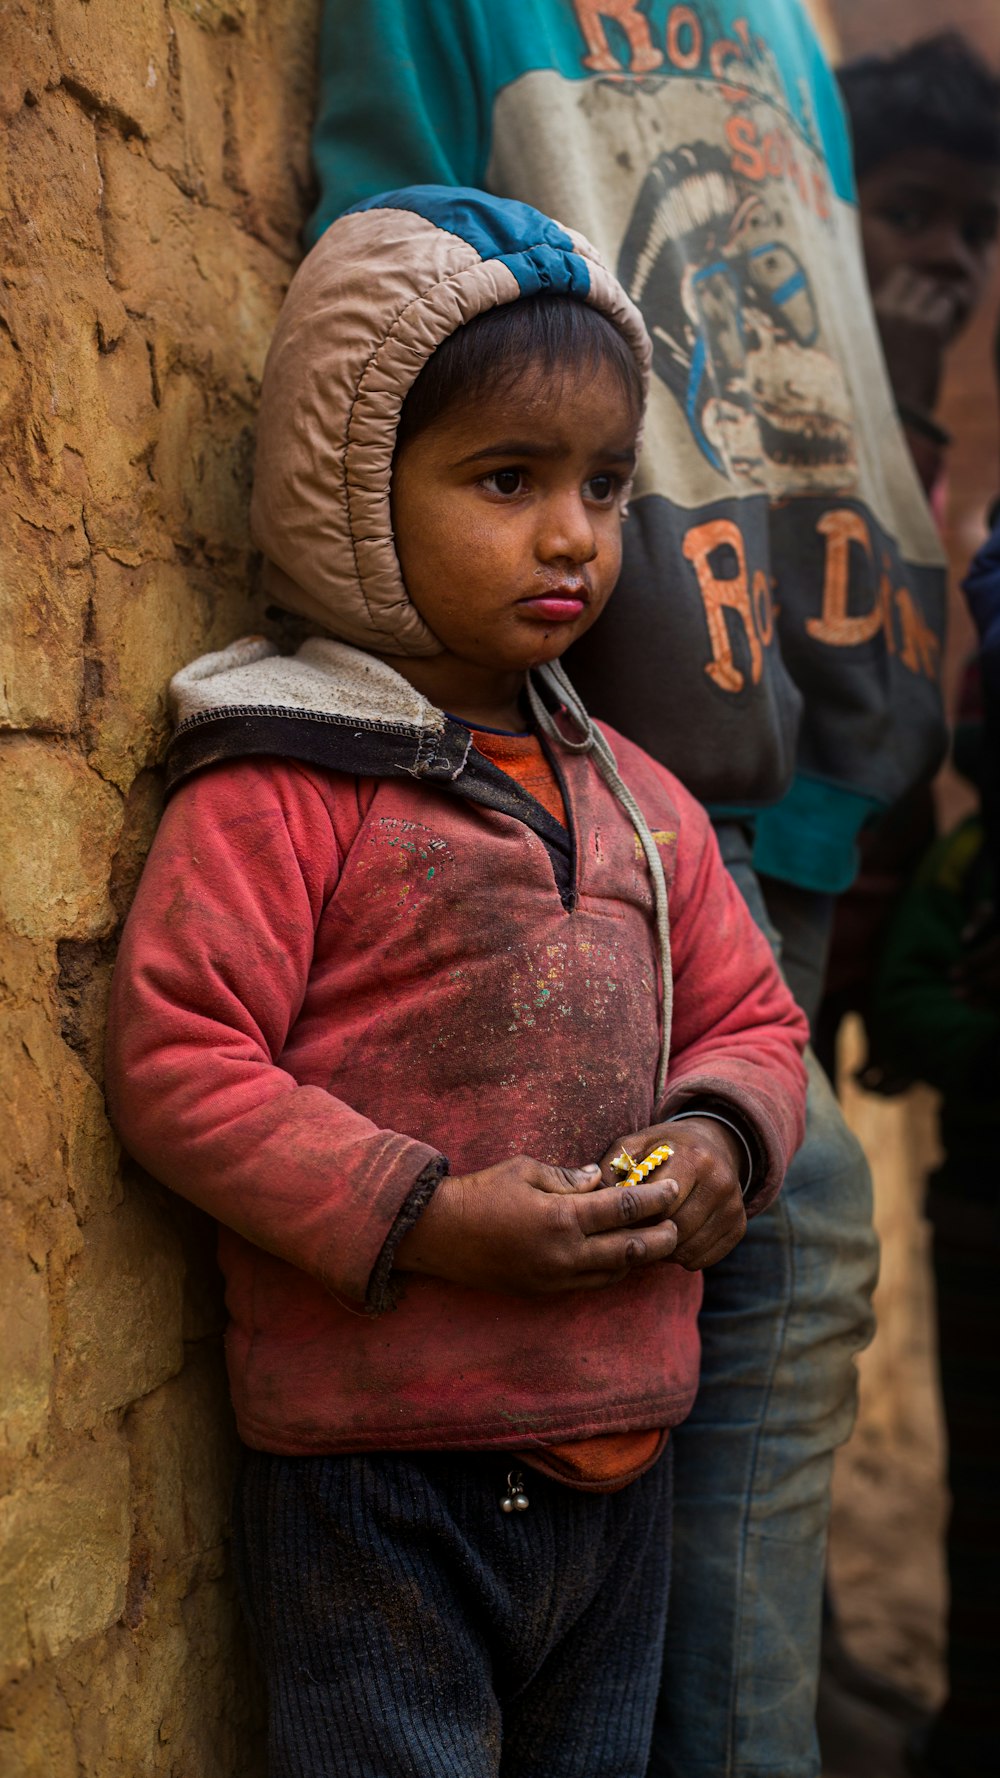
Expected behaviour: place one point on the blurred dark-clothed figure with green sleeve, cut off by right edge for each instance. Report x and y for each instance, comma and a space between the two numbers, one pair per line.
940, 1023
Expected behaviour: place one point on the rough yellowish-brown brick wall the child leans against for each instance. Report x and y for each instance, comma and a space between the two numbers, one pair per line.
152, 186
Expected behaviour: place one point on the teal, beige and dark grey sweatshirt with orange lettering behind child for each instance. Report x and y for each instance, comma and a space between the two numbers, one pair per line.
777, 632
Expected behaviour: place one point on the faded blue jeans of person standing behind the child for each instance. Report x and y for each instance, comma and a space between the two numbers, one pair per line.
782, 1322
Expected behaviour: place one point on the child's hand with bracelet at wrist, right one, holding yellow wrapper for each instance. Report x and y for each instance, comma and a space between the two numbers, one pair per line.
704, 1183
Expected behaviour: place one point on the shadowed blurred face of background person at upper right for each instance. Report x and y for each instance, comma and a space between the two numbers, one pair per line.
935, 216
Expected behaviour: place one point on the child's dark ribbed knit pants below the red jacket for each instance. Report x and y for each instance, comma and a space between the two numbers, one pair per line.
410, 1630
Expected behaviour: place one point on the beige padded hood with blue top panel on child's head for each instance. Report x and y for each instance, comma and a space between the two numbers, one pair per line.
364, 314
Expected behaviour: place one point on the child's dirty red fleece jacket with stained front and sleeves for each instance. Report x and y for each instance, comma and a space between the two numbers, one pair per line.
327, 984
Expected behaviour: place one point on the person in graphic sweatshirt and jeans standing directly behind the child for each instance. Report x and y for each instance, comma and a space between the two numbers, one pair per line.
775, 641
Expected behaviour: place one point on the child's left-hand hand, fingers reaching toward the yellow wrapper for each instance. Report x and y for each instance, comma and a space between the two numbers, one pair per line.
529, 1229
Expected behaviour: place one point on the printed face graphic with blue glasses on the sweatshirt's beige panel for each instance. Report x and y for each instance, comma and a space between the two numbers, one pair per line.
736, 330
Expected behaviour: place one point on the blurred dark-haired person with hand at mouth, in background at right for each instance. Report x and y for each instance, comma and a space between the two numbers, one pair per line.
926, 129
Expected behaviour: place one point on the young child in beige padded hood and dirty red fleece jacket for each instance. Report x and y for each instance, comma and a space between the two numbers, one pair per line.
398, 991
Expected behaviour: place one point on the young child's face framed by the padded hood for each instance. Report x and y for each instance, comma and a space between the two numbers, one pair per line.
508, 522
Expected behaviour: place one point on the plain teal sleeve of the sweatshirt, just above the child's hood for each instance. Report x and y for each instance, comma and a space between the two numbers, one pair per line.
405, 99
